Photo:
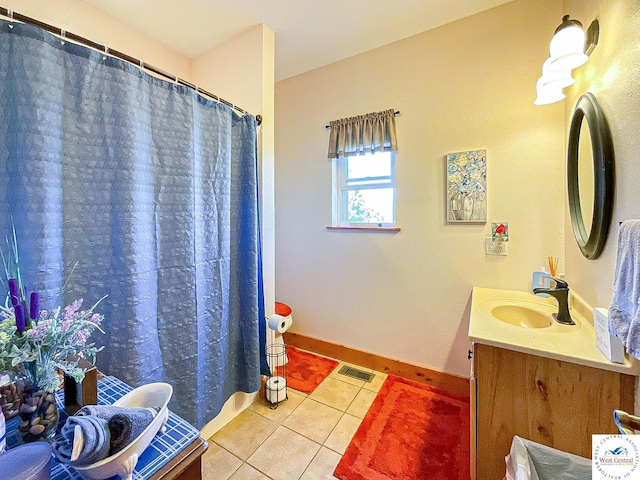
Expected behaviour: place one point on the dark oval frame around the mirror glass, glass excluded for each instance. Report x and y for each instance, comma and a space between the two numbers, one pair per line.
591, 245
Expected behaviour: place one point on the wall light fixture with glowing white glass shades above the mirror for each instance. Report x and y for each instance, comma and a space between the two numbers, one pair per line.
570, 48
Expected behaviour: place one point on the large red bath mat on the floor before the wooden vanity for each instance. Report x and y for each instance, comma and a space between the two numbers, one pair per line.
411, 432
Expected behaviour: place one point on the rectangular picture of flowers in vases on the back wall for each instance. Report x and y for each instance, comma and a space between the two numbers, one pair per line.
467, 187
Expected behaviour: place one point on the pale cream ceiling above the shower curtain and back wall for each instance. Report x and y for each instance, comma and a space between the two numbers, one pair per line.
308, 33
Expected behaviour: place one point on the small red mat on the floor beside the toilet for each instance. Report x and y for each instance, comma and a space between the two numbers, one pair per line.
305, 371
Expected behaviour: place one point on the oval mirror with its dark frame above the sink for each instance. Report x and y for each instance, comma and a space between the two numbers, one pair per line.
590, 176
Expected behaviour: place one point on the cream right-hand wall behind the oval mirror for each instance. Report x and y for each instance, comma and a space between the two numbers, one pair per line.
612, 74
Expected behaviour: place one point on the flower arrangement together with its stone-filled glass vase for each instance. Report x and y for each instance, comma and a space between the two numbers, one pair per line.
37, 345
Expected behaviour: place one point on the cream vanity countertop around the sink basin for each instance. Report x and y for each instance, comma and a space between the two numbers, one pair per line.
574, 344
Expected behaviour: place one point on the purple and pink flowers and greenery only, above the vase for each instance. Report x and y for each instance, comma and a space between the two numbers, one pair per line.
38, 343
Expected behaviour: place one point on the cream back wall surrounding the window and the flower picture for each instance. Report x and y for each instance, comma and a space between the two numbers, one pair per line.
467, 85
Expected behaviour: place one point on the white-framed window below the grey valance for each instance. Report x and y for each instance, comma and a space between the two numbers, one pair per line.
364, 190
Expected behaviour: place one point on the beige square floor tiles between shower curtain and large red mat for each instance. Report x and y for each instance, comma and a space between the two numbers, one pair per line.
303, 439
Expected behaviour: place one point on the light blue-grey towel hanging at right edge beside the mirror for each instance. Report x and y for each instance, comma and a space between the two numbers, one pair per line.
624, 315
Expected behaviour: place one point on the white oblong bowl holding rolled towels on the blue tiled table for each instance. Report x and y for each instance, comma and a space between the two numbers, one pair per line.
123, 462
